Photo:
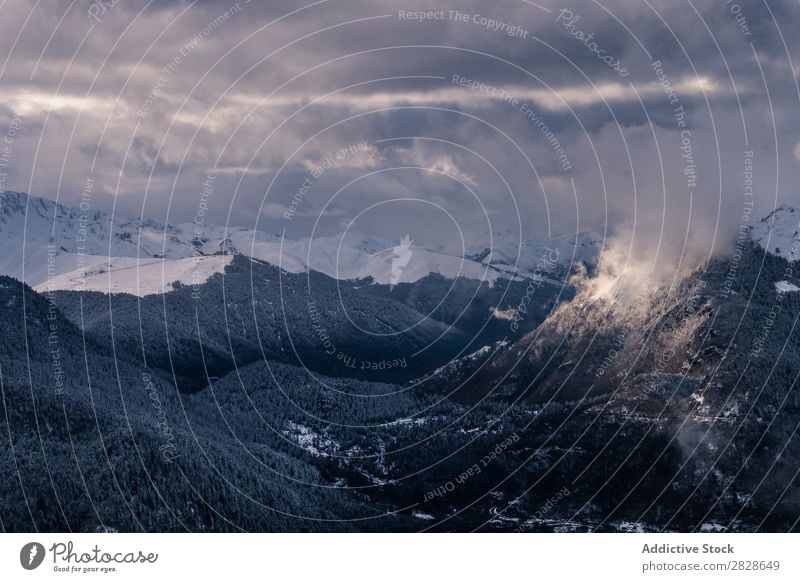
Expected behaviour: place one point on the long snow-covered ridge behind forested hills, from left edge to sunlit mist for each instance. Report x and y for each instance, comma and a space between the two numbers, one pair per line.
53, 247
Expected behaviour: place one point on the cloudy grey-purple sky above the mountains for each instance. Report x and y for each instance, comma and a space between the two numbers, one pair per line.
515, 119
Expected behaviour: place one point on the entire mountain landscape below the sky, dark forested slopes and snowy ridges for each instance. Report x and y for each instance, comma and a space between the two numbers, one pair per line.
266, 398
